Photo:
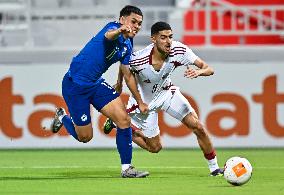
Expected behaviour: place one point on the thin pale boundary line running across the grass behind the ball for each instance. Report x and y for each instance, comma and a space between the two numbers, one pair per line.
117, 167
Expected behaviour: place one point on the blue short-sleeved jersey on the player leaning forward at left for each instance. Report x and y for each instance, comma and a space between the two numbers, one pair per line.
98, 55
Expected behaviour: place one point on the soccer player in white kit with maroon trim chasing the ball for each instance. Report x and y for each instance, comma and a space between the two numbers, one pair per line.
152, 67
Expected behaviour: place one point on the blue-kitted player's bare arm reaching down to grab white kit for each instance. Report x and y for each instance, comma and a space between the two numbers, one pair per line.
132, 85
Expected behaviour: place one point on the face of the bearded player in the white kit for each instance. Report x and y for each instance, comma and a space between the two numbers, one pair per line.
163, 41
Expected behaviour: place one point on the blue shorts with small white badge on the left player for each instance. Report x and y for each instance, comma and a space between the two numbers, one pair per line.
78, 98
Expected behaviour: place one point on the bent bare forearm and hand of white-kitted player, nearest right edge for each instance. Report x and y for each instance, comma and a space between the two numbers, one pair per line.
203, 69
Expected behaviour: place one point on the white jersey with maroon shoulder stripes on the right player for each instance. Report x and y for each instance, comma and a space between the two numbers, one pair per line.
153, 84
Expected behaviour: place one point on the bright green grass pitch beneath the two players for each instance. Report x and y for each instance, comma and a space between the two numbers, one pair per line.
97, 171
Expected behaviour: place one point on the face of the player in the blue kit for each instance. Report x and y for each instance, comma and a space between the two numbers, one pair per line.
134, 21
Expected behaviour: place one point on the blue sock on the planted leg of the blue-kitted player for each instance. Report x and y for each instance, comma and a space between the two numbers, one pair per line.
124, 144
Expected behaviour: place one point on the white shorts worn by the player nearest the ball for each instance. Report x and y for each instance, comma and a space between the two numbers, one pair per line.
172, 102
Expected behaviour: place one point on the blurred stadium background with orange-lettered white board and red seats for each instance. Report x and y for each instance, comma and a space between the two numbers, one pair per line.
242, 105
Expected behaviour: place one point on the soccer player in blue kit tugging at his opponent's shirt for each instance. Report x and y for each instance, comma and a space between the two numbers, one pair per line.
83, 85
